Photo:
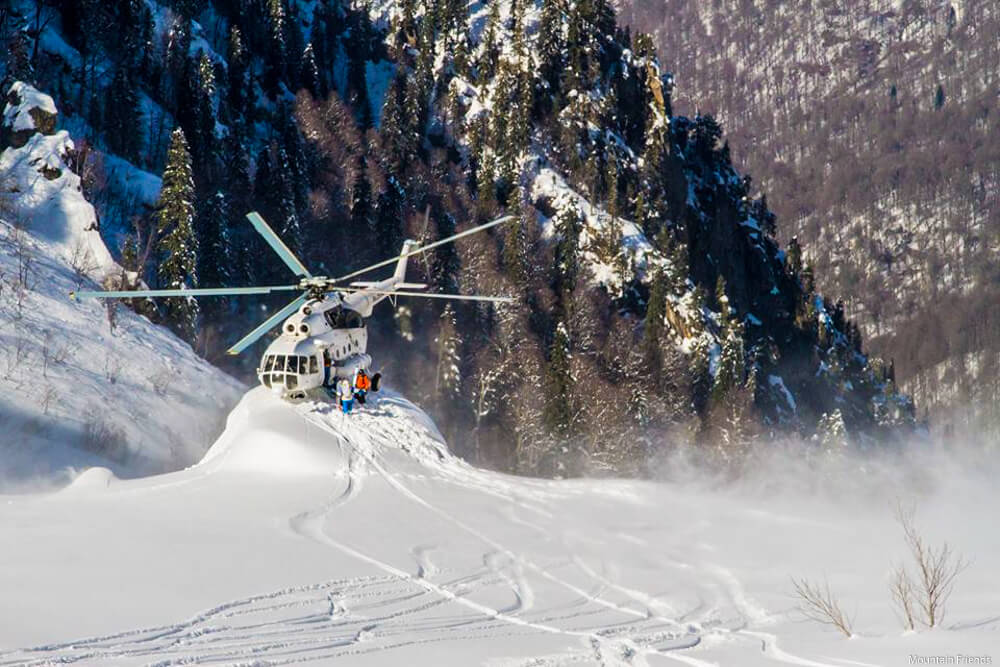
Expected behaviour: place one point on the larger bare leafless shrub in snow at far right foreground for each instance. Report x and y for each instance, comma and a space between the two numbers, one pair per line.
927, 591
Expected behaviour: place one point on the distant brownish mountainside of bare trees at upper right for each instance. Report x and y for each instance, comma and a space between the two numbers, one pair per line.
872, 128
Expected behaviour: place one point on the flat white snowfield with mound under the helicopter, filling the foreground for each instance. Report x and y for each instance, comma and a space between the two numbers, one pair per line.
305, 535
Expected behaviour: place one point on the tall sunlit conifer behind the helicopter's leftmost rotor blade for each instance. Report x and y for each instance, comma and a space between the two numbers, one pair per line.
178, 245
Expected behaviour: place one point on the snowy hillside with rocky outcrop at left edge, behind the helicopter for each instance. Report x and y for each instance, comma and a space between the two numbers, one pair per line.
82, 384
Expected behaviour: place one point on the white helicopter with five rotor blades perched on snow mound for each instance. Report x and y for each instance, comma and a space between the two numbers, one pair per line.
323, 334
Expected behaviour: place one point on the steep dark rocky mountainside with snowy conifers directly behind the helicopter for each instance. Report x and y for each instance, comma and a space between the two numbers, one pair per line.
656, 307
